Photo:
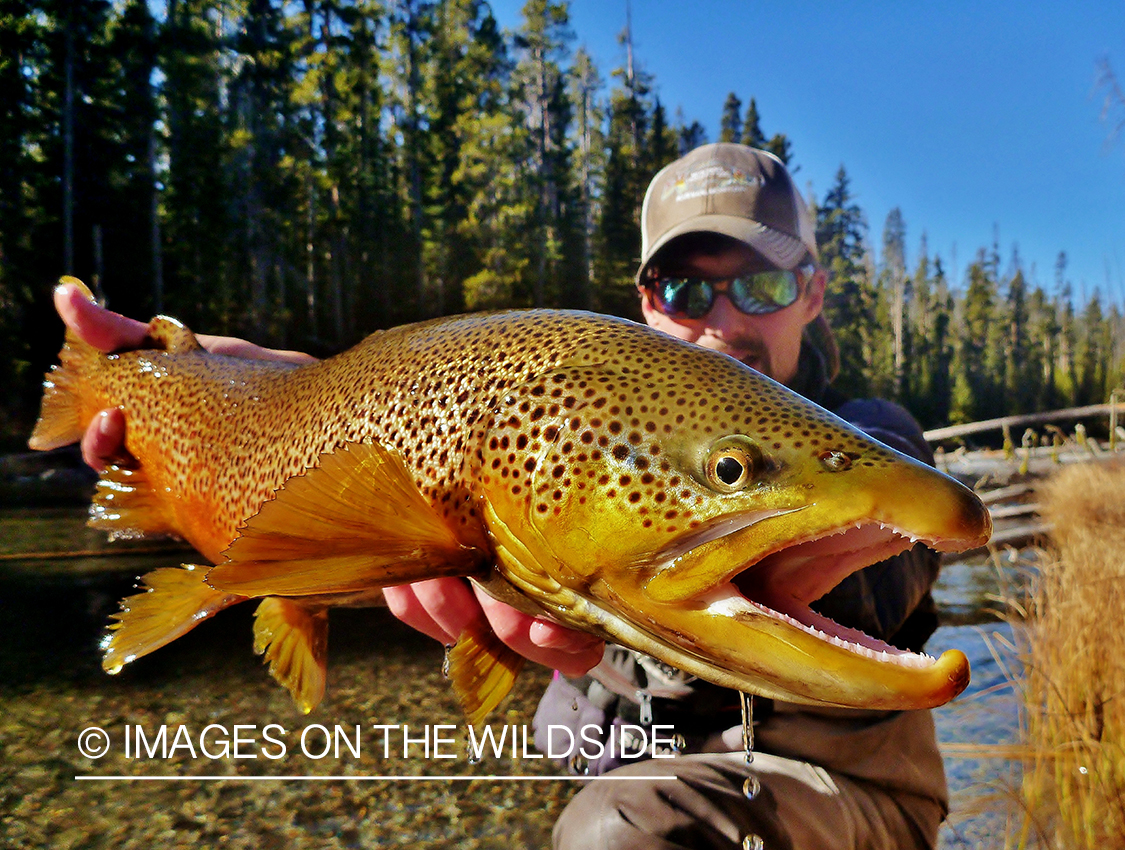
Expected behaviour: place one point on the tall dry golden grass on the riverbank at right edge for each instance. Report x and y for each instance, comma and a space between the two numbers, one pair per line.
1074, 677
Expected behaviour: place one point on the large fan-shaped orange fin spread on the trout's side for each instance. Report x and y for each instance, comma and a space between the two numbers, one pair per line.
354, 523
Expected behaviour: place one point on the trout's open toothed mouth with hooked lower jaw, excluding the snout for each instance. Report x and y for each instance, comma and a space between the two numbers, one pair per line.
733, 607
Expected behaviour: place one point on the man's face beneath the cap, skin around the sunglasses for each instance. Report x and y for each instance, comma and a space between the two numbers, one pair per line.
770, 342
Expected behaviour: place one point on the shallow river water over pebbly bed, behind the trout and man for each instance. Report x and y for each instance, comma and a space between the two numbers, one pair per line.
238, 724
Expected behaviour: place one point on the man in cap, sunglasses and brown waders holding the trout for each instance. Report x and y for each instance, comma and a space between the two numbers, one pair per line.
730, 264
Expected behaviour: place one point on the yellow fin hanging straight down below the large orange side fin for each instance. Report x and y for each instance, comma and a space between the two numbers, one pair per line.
294, 639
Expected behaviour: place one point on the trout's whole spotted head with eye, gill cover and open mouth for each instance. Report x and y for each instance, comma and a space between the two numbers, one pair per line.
682, 504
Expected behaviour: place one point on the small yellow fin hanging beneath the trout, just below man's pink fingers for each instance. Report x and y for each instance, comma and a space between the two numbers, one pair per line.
482, 671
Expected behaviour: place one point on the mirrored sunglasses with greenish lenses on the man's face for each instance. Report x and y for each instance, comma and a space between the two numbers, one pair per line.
755, 295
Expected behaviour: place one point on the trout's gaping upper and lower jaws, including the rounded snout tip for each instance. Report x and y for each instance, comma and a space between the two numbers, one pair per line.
732, 604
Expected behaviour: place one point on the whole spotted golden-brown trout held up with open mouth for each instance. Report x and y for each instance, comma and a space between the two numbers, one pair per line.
589, 469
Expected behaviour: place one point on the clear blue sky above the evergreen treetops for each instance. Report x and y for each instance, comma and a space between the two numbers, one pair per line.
969, 117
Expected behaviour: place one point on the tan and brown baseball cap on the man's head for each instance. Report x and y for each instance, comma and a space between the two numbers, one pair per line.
734, 191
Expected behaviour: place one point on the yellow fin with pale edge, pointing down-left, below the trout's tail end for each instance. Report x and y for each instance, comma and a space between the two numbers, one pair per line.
174, 601
